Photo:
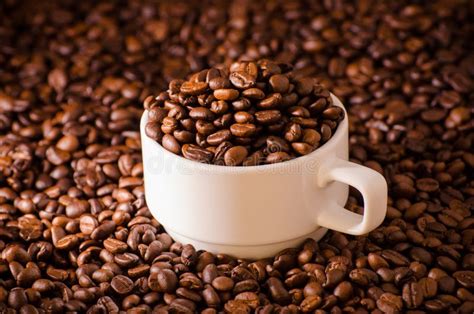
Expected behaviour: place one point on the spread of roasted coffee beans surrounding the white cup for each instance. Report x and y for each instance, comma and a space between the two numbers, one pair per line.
75, 231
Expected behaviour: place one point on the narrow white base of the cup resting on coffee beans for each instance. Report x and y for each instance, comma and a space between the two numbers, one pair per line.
253, 252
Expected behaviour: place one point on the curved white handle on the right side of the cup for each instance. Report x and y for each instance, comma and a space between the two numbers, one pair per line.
369, 182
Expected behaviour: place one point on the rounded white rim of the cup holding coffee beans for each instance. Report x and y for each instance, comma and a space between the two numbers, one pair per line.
329, 145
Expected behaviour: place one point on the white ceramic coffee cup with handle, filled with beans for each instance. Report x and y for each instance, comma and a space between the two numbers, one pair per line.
254, 212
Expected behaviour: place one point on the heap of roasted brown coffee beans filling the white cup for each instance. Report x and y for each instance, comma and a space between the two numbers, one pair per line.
250, 114
